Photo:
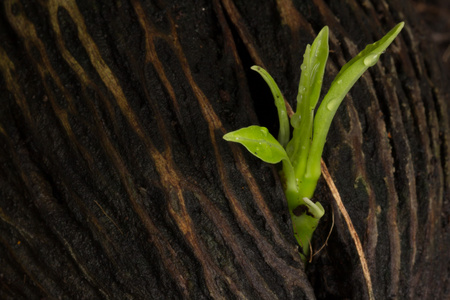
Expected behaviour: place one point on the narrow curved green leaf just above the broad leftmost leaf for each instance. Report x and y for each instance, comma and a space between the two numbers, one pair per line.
283, 134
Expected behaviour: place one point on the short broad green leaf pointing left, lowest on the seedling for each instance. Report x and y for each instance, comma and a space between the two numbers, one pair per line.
259, 142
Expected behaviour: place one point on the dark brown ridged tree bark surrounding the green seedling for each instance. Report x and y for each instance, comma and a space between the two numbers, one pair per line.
115, 182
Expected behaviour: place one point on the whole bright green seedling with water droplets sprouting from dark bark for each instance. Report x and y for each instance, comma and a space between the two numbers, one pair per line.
301, 155
